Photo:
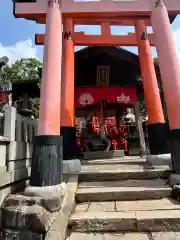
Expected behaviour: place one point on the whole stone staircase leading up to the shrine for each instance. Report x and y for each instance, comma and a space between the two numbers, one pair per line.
124, 198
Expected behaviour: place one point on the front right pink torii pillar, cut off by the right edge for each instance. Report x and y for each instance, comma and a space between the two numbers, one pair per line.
170, 72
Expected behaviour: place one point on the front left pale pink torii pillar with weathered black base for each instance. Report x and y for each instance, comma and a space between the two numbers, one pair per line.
47, 152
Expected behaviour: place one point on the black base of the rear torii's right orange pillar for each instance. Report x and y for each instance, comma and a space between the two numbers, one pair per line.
158, 136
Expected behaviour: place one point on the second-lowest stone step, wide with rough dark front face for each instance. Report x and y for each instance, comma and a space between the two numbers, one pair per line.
134, 221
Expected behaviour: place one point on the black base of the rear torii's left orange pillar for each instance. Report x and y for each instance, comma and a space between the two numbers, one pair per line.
69, 143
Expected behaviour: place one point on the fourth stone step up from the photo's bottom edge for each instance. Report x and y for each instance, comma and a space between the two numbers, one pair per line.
113, 172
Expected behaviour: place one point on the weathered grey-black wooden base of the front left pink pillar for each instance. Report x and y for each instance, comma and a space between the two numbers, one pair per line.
47, 161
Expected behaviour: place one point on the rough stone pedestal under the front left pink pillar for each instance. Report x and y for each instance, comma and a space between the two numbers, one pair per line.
31, 213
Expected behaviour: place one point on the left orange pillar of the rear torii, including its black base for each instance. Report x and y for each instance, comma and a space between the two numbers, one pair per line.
68, 129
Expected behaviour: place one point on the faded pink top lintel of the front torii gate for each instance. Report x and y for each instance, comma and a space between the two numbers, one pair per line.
95, 8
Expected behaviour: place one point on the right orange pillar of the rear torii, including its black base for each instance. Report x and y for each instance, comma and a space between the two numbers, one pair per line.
157, 128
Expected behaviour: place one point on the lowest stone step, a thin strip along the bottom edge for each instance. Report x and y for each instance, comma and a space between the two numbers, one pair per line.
124, 236
